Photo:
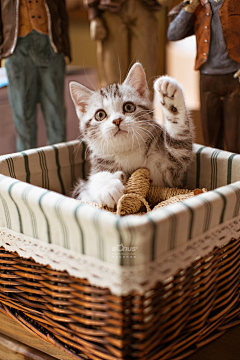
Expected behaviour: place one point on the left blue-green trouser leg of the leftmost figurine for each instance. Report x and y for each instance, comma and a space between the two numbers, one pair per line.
22, 90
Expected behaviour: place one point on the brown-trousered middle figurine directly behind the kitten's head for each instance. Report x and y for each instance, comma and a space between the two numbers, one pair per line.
127, 31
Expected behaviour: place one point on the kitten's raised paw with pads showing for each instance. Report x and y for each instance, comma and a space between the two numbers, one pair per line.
170, 94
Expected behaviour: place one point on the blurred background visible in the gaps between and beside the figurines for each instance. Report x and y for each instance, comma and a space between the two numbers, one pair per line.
176, 59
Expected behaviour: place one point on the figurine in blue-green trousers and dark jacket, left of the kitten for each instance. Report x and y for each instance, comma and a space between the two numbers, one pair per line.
34, 39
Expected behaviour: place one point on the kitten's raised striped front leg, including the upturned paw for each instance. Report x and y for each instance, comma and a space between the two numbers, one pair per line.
178, 134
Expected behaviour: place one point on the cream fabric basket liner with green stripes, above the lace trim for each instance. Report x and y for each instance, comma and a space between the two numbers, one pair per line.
34, 189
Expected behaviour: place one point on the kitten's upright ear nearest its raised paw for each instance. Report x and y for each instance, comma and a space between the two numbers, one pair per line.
137, 79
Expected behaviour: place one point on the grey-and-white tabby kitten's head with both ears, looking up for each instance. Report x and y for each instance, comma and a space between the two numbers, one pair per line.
114, 118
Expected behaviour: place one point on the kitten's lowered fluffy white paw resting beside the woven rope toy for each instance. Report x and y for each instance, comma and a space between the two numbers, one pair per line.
106, 188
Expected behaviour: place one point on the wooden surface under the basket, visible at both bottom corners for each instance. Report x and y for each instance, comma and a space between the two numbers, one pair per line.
16, 343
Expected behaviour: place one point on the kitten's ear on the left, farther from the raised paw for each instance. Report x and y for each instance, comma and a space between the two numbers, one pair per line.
80, 95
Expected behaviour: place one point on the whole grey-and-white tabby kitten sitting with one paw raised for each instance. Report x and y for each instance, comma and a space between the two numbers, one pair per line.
118, 126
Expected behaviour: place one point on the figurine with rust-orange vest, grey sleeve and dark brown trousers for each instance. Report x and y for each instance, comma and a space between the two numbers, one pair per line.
216, 26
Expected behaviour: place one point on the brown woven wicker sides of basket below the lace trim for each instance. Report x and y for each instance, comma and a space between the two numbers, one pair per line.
171, 321
